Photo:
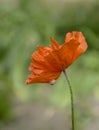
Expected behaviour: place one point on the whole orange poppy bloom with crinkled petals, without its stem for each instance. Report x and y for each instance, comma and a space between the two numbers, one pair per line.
48, 62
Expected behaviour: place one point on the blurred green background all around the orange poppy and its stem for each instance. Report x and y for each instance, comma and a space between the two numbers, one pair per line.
26, 24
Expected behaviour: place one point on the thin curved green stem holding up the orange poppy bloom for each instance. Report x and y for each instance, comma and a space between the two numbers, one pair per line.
72, 100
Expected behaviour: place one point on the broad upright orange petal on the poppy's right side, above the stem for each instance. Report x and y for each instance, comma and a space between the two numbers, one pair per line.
73, 47
